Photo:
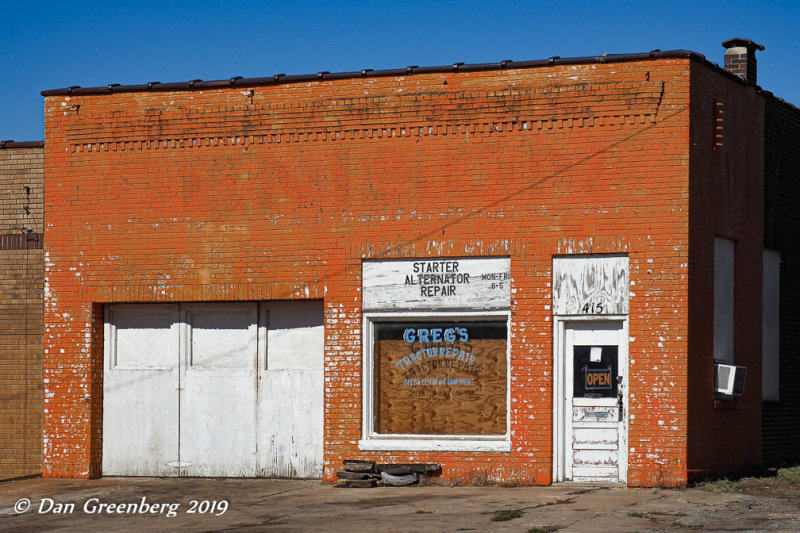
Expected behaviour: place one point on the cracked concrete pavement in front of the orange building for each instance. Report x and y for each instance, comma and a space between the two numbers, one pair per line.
153, 504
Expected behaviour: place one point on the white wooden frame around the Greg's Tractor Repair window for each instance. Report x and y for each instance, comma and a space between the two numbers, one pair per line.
373, 441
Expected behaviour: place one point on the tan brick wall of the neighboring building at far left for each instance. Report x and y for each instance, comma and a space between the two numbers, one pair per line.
21, 166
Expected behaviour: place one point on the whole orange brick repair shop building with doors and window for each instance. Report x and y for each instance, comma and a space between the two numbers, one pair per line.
522, 271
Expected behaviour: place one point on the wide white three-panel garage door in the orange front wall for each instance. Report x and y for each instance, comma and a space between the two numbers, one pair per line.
217, 389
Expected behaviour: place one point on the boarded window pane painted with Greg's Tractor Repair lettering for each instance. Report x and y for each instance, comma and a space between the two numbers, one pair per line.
440, 378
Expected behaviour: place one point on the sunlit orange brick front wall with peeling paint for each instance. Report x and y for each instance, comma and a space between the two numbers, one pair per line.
280, 192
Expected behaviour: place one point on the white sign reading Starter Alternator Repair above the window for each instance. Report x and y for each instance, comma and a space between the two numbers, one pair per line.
437, 284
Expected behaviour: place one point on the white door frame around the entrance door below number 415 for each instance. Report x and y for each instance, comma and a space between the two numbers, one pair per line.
560, 326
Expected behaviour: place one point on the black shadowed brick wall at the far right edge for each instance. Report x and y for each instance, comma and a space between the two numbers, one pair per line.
781, 423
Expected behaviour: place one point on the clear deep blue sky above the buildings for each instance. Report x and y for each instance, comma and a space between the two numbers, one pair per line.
48, 45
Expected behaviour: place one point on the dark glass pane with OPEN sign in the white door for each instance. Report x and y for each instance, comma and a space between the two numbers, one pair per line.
595, 371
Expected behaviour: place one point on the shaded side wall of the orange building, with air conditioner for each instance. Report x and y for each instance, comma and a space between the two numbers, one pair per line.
726, 201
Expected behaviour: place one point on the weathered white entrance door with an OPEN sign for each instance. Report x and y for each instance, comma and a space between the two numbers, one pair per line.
595, 401
